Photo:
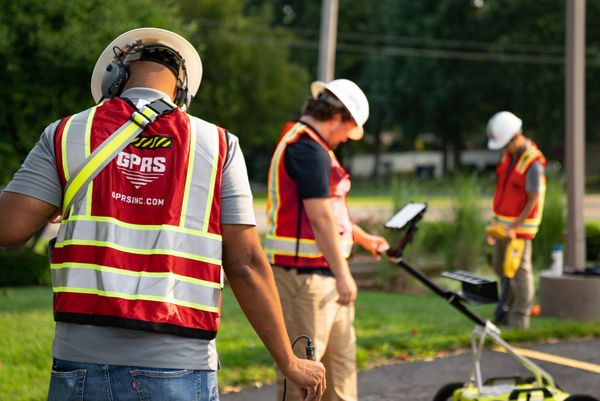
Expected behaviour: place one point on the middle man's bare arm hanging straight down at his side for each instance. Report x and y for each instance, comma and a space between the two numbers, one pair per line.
327, 235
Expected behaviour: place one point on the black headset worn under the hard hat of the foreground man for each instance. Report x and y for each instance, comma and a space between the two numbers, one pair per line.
116, 73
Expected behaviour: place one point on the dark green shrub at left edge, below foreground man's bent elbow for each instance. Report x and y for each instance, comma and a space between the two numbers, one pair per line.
22, 266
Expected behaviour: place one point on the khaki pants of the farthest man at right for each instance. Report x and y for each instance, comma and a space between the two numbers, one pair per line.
520, 288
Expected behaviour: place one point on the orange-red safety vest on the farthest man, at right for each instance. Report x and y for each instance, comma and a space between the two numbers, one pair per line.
510, 197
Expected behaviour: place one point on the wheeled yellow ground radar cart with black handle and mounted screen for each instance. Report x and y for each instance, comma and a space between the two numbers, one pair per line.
476, 290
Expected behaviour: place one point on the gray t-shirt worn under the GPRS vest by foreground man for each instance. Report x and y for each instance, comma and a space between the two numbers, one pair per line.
38, 178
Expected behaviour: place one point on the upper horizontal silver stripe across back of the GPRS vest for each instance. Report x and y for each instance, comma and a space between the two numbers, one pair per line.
208, 247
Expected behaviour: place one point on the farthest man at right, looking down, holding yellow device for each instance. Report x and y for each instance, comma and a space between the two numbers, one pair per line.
517, 213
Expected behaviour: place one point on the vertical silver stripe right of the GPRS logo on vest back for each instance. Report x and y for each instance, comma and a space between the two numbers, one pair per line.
205, 156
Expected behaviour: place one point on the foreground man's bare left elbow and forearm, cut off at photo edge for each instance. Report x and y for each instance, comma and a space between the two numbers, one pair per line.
22, 216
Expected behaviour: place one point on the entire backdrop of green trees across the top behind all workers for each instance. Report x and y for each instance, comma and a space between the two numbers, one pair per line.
440, 67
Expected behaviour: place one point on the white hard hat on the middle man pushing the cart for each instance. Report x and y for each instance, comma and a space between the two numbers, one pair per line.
351, 96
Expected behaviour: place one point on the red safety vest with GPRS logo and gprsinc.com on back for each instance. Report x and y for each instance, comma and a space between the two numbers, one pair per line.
143, 248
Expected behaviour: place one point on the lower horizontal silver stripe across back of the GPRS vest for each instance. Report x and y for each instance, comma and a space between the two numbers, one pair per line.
132, 285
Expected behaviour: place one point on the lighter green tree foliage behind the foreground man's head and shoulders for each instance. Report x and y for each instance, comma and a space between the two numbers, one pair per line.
48, 50
